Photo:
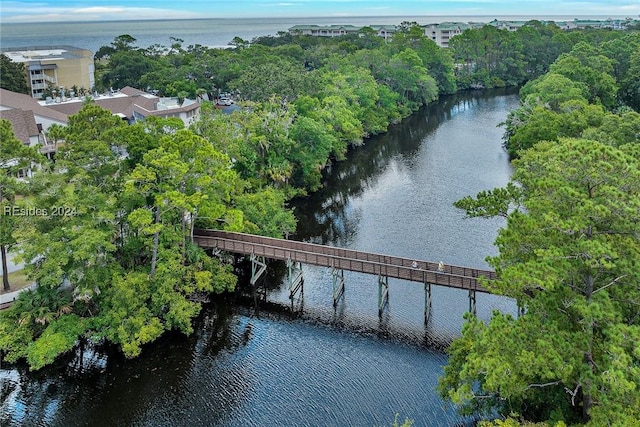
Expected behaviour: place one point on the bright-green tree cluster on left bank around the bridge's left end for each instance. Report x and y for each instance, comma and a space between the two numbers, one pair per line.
114, 262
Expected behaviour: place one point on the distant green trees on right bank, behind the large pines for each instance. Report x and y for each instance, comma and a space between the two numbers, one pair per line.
576, 99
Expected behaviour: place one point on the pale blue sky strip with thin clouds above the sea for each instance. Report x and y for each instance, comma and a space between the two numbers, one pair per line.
64, 10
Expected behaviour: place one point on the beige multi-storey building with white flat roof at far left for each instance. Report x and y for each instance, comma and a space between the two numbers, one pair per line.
60, 67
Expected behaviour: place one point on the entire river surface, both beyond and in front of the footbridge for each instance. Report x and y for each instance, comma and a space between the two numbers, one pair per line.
326, 367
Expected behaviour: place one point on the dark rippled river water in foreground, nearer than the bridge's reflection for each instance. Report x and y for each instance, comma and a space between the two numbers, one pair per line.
237, 371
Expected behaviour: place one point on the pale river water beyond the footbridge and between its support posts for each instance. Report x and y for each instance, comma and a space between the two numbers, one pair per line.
395, 196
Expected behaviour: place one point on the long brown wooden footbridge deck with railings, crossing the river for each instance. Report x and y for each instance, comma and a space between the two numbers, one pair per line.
344, 259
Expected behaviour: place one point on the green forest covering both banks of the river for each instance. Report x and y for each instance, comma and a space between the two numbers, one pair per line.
121, 269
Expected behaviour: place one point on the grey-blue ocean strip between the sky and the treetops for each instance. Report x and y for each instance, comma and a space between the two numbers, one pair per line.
211, 32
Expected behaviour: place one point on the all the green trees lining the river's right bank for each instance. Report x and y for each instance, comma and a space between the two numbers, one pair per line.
569, 254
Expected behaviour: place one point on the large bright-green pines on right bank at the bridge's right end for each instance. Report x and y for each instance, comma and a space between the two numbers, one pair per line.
569, 257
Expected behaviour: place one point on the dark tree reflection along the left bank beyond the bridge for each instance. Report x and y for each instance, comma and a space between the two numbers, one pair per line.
324, 216
